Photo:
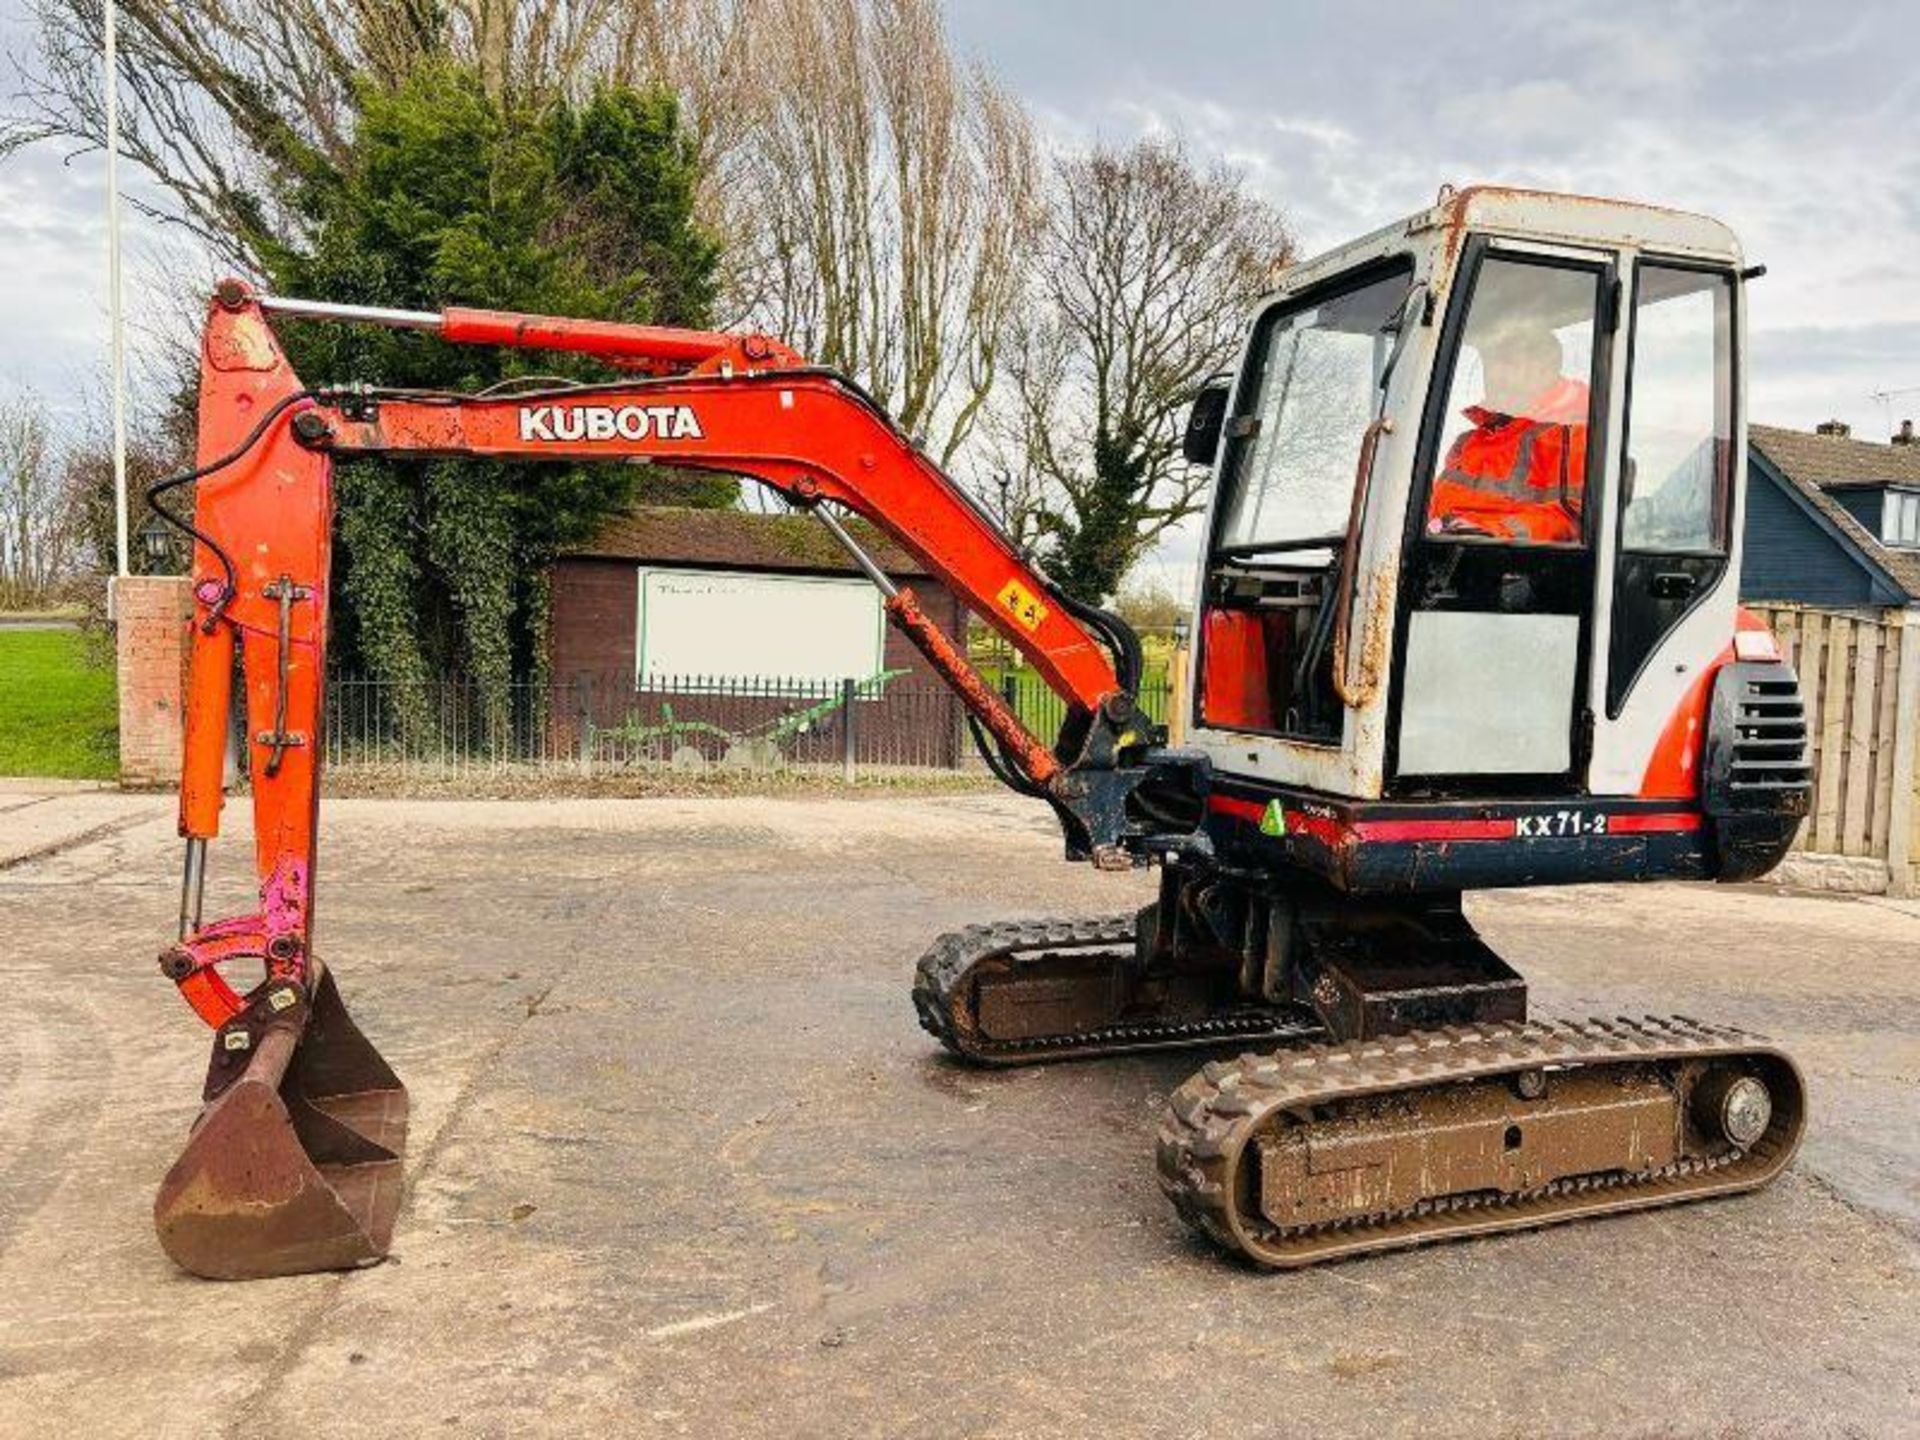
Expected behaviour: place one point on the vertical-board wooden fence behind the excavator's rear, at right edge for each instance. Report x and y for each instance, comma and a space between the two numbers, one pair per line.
1860, 675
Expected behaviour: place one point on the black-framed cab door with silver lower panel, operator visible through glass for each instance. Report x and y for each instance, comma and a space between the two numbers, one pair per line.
1495, 631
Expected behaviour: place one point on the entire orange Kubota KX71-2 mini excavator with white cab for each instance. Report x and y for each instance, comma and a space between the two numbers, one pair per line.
1466, 619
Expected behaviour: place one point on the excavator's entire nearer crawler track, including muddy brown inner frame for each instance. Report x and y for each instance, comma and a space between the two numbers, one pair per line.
1376, 1145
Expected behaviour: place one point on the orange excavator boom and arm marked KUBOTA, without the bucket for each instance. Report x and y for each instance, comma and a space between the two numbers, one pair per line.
715, 402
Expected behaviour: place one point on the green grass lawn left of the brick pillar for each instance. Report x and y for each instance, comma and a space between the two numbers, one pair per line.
59, 715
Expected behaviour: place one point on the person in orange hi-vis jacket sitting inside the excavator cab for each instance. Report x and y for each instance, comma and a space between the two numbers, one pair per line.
1520, 473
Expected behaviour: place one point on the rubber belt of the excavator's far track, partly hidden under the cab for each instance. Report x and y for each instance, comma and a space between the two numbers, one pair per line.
944, 972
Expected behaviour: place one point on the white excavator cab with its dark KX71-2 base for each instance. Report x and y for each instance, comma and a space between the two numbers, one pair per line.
1476, 544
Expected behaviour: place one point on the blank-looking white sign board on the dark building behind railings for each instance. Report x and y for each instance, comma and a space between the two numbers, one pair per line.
711, 625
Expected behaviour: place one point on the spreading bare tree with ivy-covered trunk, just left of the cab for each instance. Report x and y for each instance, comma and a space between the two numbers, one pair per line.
1141, 291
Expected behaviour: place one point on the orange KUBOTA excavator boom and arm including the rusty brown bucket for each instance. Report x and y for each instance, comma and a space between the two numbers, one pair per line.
297, 1159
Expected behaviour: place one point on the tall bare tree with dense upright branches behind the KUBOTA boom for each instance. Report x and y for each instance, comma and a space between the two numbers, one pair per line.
892, 199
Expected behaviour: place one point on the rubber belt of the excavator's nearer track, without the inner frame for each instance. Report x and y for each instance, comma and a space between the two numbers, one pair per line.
1218, 1113
